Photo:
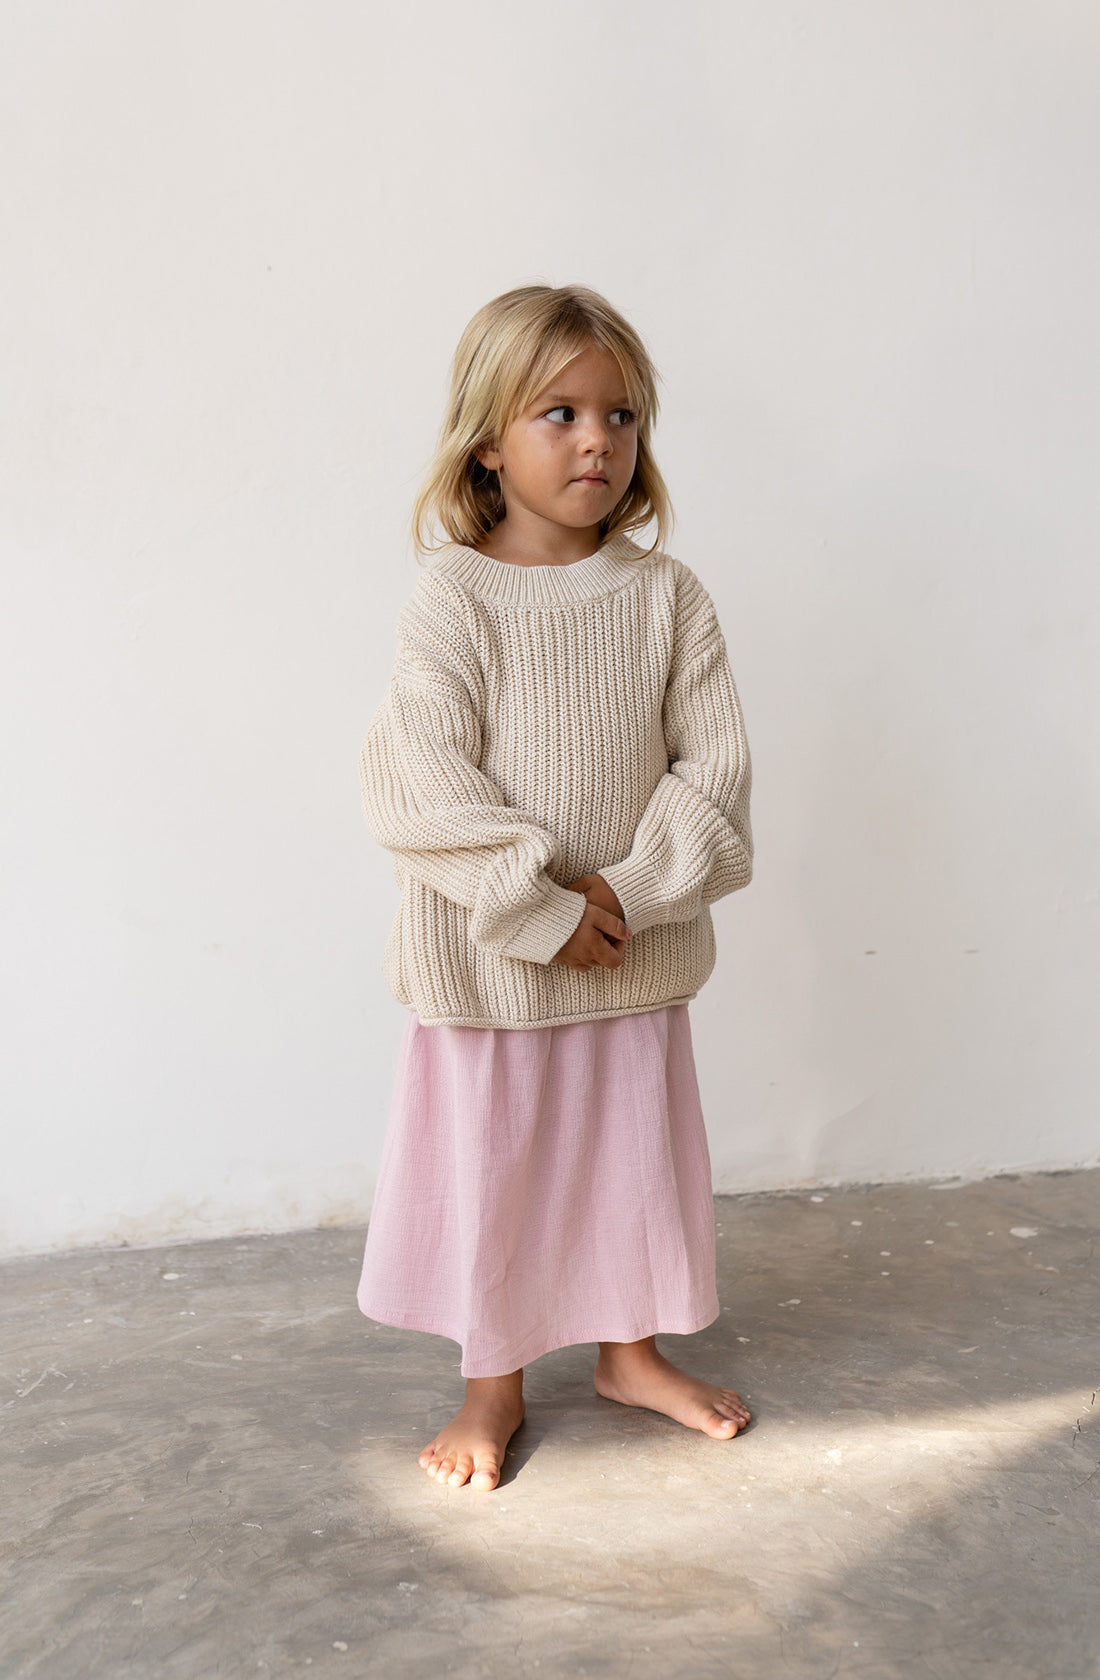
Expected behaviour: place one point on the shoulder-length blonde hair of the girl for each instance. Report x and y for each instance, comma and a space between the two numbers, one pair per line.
511, 352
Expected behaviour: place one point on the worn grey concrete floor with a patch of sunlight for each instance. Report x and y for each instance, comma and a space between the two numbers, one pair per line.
211, 1466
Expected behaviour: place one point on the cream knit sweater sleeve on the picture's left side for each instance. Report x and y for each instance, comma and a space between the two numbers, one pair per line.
429, 804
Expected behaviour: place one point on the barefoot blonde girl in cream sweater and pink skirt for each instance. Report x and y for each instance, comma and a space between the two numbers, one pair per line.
562, 775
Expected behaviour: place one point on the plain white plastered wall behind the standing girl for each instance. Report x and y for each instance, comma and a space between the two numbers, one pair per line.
241, 241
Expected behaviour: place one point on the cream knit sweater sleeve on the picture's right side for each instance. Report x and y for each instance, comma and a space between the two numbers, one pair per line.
694, 841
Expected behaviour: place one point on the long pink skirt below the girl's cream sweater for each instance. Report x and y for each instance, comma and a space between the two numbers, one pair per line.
543, 1187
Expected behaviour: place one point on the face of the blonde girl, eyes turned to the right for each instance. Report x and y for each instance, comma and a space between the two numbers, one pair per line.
570, 456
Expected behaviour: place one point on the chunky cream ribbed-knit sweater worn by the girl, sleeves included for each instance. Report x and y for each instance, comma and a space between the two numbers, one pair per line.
545, 723
